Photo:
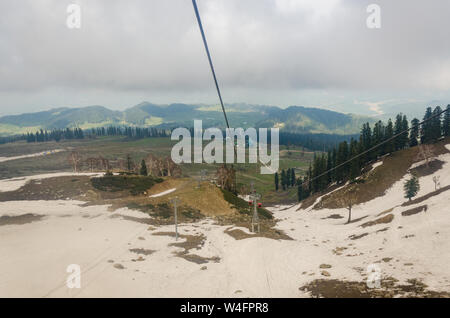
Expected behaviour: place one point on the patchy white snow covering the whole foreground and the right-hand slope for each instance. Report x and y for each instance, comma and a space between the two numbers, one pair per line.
120, 256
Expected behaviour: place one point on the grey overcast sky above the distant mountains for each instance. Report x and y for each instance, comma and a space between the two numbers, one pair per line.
275, 52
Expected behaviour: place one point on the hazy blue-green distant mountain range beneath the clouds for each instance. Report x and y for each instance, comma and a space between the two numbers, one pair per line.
293, 119
